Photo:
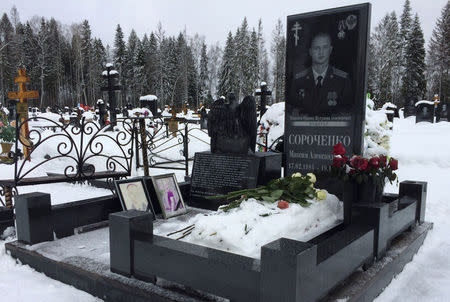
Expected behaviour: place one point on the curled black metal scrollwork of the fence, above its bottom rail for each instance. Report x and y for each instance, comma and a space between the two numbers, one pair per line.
82, 148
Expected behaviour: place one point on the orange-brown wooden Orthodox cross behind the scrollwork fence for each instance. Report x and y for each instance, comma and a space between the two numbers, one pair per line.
22, 108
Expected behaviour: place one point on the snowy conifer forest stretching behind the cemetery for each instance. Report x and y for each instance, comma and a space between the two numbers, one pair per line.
65, 62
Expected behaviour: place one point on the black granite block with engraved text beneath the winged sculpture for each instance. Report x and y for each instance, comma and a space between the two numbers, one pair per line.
216, 174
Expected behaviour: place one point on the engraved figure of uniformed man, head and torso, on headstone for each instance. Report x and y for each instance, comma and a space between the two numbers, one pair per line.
322, 88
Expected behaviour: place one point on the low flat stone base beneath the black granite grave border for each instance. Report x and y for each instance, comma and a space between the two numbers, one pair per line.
92, 273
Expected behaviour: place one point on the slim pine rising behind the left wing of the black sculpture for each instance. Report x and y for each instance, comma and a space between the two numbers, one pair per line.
227, 75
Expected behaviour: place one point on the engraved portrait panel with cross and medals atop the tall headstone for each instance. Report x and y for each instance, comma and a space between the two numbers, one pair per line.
322, 53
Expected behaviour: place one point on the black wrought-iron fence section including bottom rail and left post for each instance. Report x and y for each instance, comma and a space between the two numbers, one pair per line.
81, 152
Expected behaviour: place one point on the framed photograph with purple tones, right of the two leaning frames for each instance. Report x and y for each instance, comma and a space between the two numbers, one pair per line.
169, 195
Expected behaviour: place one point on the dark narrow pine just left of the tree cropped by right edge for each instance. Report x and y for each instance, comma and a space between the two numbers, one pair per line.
414, 82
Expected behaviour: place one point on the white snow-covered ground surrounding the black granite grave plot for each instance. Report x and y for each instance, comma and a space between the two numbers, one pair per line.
422, 150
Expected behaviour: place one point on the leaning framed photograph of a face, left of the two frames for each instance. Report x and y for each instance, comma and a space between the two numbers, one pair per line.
133, 195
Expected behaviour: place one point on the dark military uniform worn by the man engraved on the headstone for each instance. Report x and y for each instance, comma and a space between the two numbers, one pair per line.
323, 94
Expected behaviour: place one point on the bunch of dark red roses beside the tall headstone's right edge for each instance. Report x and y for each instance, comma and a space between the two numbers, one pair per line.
361, 169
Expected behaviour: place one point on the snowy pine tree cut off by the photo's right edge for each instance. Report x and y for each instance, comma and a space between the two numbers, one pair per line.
438, 60
